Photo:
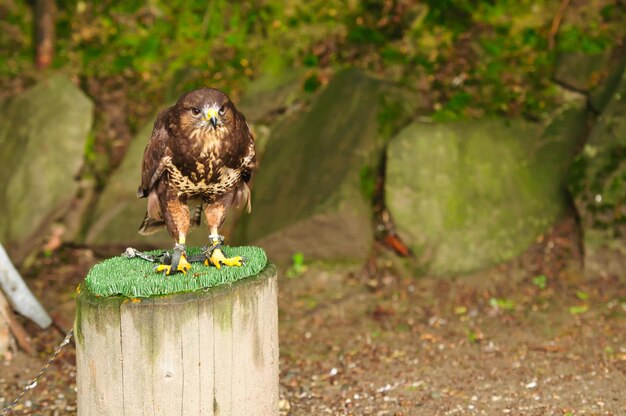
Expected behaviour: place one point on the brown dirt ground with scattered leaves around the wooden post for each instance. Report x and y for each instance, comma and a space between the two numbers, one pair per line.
377, 341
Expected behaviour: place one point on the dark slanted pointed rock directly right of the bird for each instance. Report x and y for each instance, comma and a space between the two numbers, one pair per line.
308, 195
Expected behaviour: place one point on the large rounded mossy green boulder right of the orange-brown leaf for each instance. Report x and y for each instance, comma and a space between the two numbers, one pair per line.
468, 195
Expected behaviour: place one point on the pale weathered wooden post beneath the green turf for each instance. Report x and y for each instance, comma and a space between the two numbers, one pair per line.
212, 352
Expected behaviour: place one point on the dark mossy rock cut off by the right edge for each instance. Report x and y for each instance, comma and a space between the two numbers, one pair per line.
599, 188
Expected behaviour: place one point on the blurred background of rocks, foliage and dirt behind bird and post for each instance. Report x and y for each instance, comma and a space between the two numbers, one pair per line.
478, 145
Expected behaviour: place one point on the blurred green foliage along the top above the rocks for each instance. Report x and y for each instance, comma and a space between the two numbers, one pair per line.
475, 57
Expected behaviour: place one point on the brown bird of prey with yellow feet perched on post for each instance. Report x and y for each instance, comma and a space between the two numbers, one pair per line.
200, 149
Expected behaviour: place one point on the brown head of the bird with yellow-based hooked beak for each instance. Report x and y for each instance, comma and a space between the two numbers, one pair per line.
206, 111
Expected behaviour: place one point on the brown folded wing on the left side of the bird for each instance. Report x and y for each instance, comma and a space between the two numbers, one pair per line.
156, 156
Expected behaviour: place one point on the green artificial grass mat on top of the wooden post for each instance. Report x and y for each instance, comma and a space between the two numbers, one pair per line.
136, 278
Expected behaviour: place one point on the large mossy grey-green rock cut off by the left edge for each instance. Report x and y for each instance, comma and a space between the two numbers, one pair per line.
42, 139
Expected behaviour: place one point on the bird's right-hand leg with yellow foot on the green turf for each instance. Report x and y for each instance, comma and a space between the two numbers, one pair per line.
215, 215
